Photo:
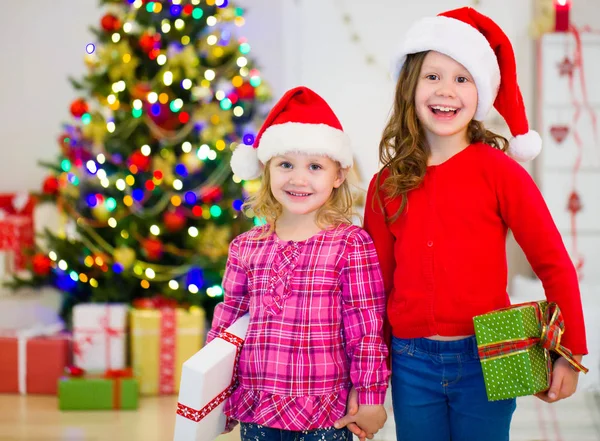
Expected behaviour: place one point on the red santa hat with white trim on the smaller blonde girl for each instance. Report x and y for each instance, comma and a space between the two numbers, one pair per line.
300, 122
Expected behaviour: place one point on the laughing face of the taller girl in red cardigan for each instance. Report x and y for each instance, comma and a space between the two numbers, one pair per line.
445, 98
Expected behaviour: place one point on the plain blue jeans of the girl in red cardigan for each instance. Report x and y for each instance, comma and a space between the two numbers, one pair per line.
438, 393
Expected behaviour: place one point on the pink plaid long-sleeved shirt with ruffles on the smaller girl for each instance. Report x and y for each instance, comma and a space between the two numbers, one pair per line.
316, 318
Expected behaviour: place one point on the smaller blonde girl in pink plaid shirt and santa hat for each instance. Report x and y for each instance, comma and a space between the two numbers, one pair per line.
310, 281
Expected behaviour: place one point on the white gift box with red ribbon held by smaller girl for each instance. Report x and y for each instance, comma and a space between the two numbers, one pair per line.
206, 380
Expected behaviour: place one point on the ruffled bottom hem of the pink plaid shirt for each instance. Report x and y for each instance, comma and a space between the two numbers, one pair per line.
283, 412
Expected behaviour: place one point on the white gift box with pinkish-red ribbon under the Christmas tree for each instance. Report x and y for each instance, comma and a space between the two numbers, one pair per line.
99, 335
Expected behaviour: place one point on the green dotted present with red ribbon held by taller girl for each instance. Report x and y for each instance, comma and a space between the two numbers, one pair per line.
515, 345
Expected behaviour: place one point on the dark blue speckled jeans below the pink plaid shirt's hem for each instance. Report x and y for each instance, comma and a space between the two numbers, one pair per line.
256, 432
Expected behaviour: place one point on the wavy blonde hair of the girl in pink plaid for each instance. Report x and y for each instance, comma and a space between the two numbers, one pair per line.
337, 210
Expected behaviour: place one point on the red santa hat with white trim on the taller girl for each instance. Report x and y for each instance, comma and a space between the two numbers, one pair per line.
479, 44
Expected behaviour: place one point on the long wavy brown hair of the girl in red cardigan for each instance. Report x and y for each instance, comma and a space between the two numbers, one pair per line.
403, 150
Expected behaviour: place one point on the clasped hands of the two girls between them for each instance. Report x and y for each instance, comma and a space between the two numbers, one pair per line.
363, 421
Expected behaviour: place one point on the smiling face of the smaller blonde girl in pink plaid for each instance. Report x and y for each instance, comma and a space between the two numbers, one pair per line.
303, 183
